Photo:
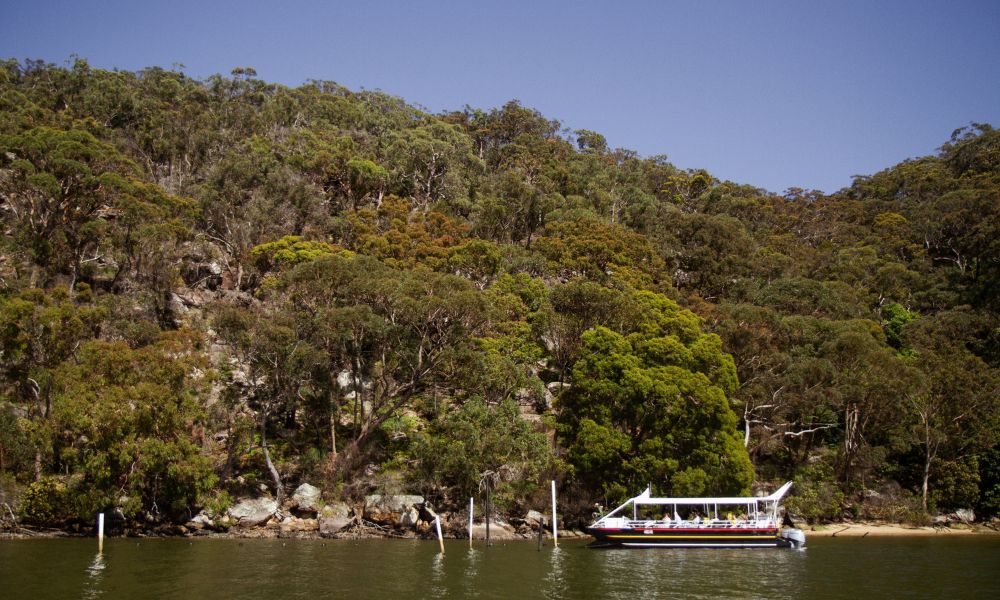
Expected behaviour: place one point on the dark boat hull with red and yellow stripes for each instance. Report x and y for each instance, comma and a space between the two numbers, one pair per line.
677, 537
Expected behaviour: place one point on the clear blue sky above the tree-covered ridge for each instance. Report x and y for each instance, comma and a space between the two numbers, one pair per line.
772, 93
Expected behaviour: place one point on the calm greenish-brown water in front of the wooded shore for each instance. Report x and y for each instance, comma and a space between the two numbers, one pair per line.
957, 567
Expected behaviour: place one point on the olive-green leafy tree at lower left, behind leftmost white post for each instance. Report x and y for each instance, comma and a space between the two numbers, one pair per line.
121, 422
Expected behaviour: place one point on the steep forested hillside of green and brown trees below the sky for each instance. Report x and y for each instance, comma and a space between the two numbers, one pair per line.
213, 288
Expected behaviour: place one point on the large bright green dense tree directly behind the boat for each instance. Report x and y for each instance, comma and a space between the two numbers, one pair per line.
645, 408
